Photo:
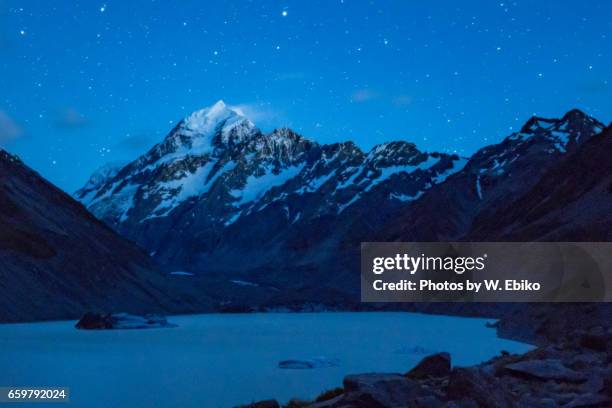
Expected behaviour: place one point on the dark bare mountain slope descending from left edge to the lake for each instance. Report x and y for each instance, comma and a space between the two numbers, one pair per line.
58, 261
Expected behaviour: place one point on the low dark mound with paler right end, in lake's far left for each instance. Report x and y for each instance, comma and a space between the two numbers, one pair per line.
107, 321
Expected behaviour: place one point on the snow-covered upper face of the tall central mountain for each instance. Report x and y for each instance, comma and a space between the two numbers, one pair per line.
218, 155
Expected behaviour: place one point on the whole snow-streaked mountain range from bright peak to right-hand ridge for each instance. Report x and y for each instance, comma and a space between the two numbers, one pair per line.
222, 199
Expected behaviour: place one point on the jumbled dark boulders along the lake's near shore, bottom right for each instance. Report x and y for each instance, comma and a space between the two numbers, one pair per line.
560, 374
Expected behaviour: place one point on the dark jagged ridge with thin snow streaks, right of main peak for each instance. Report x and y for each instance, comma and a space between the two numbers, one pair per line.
494, 177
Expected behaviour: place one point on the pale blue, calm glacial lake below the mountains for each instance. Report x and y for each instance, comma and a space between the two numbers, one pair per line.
222, 360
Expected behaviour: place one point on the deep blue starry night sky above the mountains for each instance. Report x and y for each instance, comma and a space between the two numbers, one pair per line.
83, 83
